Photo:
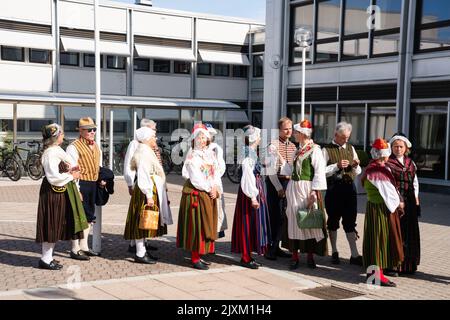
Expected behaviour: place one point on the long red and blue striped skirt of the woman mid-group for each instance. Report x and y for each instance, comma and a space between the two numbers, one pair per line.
251, 227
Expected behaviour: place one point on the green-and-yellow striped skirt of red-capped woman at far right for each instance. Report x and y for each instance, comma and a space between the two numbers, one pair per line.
382, 243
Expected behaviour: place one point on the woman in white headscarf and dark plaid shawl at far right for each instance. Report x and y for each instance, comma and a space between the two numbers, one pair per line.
404, 171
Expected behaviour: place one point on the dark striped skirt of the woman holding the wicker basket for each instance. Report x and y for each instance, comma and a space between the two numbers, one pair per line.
137, 203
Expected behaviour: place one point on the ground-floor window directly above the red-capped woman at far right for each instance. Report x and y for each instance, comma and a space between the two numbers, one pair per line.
382, 122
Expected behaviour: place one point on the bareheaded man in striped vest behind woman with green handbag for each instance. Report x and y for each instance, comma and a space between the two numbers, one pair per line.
276, 183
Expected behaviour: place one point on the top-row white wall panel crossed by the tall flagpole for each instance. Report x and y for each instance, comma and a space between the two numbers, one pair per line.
81, 16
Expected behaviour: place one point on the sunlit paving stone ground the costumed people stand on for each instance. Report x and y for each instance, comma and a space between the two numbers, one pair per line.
115, 276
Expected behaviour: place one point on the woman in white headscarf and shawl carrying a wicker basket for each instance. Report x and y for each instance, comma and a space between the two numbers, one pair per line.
150, 191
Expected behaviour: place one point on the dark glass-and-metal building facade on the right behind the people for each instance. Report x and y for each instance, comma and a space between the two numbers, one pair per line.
382, 65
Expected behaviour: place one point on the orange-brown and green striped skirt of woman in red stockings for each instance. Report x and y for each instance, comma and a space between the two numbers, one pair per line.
197, 221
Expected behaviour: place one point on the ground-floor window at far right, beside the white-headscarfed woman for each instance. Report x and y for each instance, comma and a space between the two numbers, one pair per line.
429, 140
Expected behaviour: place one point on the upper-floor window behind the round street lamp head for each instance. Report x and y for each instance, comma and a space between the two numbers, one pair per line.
302, 17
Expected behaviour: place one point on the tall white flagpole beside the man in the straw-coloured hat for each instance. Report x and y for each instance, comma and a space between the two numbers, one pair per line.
97, 233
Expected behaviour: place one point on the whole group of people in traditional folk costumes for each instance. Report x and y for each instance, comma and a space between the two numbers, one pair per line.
265, 214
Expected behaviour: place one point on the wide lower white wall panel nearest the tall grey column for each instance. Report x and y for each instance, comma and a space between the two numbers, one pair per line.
227, 89
